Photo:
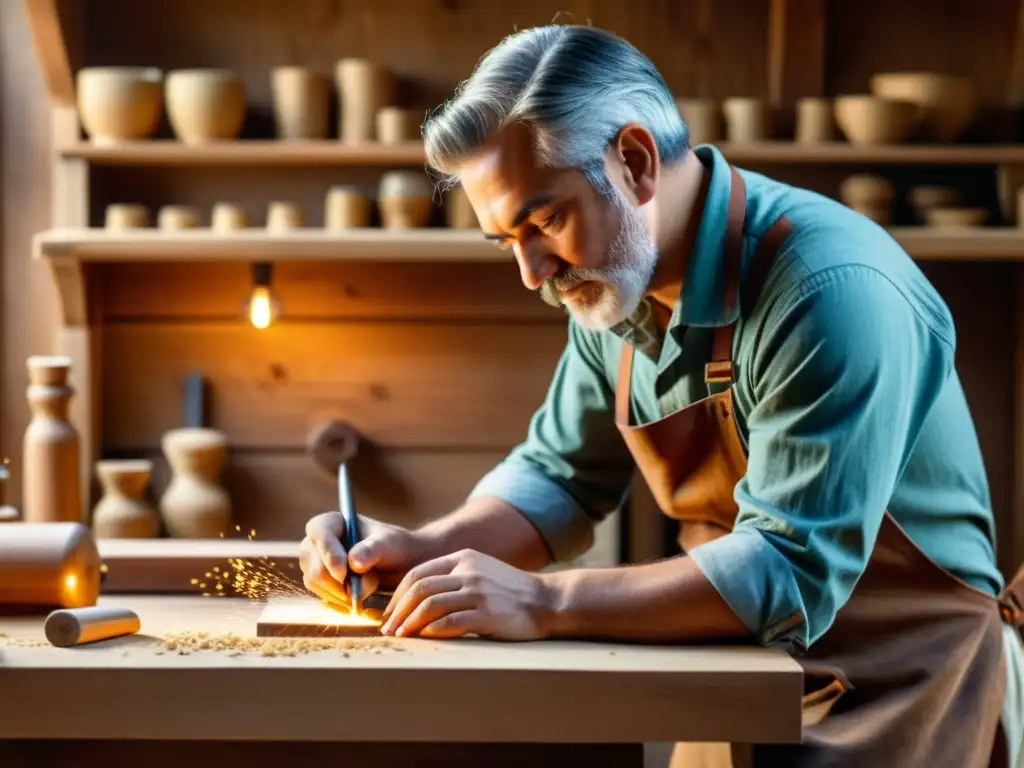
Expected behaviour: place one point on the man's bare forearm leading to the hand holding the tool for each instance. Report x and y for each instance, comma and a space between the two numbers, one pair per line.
492, 527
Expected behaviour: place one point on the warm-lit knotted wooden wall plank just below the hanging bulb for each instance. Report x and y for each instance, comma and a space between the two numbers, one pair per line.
401, 385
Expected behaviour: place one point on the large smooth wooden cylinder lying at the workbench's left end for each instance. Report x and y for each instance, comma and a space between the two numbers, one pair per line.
50, 565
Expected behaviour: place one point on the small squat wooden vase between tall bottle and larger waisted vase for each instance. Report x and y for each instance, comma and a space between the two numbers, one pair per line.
123, 511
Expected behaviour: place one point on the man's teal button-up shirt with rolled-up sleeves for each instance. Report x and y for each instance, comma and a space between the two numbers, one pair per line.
848, 404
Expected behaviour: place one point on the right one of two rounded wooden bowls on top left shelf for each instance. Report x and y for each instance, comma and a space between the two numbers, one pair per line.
205, 105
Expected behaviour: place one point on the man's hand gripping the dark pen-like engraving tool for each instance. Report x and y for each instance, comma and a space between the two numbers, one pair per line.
383, 557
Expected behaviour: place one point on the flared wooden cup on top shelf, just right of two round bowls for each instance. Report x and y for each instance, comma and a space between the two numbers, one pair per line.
302, 103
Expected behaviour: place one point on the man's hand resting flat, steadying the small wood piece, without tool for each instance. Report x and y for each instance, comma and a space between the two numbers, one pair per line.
468, 593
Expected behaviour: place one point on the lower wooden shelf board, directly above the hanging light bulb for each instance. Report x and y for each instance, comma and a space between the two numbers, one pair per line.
434, 244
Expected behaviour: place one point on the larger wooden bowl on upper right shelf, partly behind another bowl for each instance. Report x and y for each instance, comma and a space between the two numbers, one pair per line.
947, 104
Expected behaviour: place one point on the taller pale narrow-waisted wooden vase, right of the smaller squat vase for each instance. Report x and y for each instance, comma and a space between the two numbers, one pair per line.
195, 506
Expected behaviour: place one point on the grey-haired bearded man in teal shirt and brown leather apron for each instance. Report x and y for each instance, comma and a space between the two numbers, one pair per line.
782, 374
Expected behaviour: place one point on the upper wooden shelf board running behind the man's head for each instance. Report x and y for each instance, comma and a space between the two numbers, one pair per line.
250, 153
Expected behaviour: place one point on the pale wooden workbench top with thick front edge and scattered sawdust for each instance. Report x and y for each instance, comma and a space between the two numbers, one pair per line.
155, 686
